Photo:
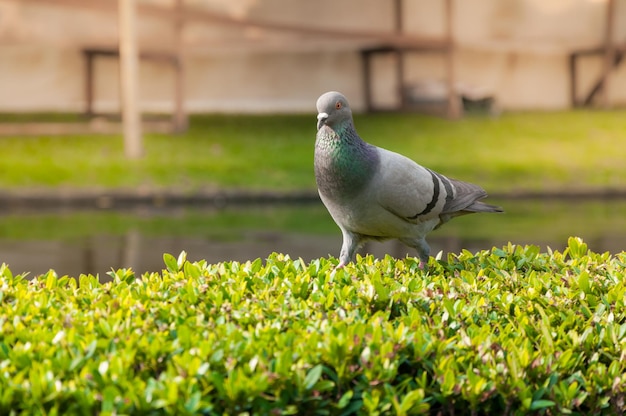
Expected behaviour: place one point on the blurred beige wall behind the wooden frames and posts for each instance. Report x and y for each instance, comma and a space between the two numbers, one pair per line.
514, 50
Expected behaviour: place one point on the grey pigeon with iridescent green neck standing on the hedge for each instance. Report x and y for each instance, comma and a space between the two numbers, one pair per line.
376, 194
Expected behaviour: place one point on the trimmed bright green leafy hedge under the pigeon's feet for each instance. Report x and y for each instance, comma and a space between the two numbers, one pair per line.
506, 331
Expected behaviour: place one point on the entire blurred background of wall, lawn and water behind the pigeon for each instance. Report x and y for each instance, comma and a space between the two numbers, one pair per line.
135, 127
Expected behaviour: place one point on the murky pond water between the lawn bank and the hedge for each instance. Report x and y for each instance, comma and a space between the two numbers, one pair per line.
73, 242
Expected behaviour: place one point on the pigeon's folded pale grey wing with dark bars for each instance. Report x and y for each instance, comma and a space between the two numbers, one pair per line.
409, 190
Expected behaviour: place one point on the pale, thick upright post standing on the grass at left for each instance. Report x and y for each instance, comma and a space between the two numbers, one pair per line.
131, 118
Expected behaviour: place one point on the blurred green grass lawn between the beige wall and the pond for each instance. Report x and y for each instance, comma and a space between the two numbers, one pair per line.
537, 151
